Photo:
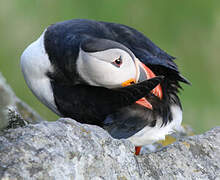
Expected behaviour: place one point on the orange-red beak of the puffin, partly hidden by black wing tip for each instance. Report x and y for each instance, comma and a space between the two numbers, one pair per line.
157, 91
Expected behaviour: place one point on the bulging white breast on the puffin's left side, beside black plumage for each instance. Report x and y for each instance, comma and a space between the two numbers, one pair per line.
35, 64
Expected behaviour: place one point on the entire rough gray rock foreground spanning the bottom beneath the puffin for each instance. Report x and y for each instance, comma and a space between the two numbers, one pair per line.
66, 149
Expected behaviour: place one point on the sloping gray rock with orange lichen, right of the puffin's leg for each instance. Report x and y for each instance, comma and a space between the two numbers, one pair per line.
196, 157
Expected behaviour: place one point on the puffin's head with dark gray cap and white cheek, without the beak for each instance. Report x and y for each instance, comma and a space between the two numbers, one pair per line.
106, 63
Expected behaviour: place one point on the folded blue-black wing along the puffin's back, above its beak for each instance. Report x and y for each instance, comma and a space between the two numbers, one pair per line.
146, 51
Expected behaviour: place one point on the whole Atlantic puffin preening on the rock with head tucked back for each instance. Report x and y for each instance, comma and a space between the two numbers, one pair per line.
106, 74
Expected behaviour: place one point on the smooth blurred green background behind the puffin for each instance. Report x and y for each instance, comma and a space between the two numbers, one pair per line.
188, 30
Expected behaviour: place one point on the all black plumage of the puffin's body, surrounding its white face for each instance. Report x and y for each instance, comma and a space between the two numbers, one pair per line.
75, 98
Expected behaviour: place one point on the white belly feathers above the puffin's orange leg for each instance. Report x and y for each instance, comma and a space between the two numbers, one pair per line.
149, 135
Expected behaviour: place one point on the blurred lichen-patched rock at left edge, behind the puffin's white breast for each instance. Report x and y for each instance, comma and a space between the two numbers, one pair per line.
10, 103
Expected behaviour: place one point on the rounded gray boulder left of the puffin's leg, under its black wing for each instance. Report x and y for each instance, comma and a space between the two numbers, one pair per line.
65, 150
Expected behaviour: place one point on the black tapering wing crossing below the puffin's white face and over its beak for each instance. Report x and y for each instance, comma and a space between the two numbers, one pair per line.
91, 104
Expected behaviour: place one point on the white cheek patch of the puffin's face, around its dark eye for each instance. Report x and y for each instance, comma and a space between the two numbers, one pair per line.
97, 68
